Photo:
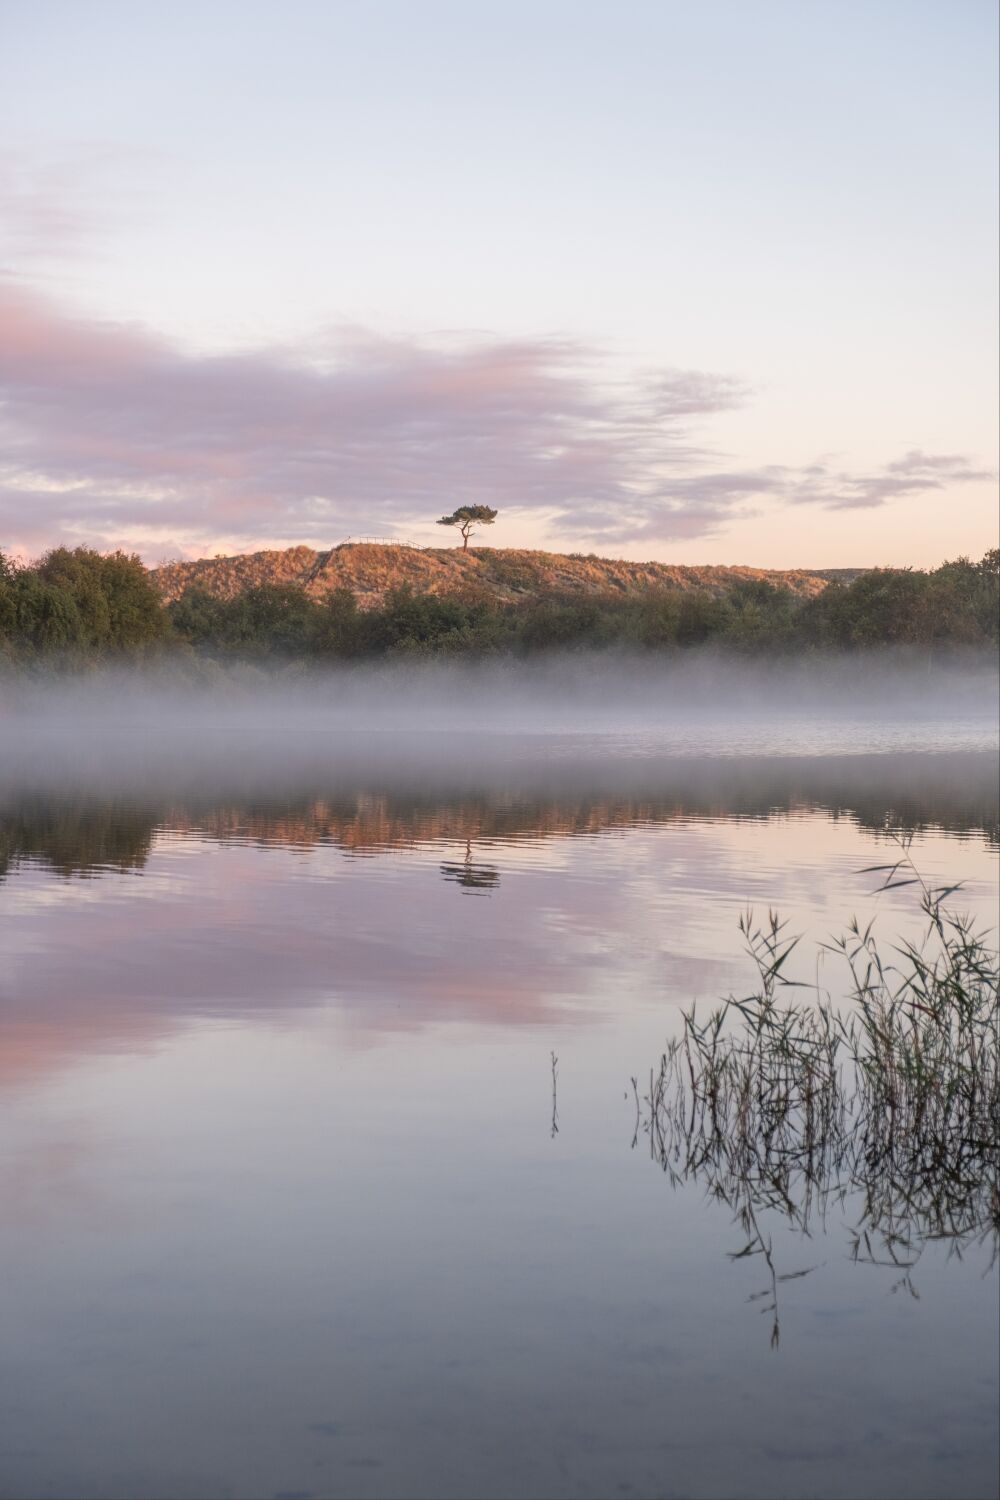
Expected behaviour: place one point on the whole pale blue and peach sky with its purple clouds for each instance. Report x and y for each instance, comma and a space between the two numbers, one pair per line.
705, 284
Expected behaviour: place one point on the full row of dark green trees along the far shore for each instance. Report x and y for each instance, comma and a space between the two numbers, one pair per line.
85, 605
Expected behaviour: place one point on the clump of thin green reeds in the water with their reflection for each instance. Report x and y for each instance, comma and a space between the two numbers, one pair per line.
891, 1102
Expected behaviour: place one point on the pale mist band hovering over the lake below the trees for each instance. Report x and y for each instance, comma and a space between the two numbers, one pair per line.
197, 719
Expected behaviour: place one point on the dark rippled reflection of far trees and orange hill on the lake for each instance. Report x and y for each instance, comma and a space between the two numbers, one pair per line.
88, 833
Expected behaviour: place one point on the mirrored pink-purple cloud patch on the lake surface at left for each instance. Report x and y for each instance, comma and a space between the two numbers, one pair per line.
248, 935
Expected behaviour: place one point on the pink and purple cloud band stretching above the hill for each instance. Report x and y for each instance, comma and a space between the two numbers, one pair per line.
112, 434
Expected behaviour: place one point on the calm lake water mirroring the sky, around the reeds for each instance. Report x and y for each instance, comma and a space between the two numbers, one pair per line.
296, 1201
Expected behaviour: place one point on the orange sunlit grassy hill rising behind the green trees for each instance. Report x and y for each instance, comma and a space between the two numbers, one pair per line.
371, 569
